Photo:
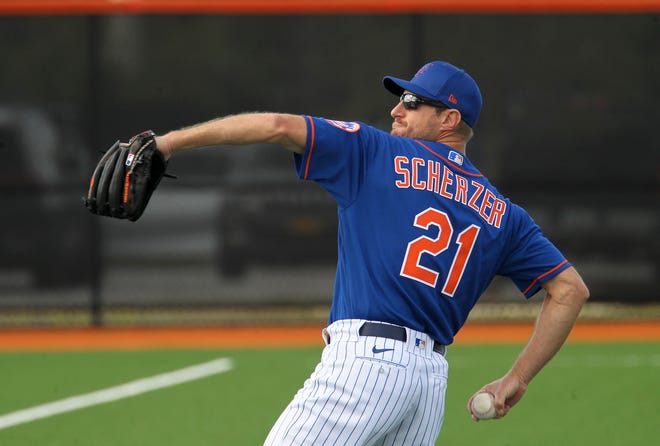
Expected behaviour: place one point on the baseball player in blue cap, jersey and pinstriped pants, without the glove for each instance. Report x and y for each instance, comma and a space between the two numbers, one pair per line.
421, 235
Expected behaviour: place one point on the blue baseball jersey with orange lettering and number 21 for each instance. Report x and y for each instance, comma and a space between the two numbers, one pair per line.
422, 233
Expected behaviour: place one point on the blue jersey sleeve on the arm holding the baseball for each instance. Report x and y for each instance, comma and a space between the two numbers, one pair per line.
532, 258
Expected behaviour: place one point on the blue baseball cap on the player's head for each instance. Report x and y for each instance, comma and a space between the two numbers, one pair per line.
442, 82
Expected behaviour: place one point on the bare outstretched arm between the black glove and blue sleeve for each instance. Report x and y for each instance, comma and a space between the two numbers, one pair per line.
250, 128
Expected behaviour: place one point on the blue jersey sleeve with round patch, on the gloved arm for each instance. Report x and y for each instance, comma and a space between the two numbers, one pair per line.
334, 156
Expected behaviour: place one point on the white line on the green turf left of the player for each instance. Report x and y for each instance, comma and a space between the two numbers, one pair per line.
115, 393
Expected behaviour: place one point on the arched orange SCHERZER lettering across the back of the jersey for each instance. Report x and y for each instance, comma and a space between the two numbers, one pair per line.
429, 175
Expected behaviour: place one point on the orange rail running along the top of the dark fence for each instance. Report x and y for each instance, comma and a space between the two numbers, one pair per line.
73, 7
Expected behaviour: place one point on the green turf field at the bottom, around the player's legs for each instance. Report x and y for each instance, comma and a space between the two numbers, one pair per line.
591, 394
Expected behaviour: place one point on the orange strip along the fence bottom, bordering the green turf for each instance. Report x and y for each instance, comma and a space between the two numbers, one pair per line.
286, 336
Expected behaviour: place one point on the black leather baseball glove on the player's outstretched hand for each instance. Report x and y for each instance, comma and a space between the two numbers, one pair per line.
125, 177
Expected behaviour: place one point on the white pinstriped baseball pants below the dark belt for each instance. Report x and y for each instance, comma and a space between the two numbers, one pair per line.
368, 391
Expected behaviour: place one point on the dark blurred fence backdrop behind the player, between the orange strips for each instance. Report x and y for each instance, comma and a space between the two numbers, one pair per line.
569, 130
